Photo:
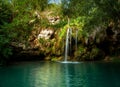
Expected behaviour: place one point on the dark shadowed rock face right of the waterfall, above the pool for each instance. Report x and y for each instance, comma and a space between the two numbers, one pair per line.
101, 43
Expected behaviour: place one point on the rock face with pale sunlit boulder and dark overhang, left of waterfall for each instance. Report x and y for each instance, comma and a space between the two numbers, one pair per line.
36, 46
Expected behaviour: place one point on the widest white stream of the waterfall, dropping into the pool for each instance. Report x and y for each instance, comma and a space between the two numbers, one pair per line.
67, 44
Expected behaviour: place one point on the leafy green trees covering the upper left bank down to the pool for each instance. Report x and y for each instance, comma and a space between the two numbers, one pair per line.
15, 16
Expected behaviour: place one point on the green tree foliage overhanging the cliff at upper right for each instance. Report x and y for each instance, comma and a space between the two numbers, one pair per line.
98, 12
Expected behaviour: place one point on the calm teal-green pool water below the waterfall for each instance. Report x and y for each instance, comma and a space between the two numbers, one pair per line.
52, 74
